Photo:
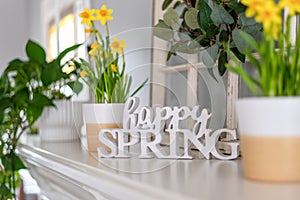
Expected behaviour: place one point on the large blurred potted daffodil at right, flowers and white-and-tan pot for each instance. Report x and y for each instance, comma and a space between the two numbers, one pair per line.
269, 124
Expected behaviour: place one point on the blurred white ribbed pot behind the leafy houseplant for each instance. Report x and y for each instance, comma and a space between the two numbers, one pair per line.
62, 123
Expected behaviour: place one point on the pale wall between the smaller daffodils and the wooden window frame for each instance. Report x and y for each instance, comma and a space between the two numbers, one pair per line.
132, 19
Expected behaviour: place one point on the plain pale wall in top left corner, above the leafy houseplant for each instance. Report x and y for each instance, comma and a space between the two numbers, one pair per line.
20, 20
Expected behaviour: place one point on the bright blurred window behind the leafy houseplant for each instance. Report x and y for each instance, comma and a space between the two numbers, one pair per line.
61, 29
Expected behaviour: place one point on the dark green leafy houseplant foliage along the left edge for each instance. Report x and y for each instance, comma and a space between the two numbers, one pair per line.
26, 88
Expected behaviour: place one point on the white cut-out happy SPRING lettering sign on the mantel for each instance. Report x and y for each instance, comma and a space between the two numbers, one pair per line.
146, 128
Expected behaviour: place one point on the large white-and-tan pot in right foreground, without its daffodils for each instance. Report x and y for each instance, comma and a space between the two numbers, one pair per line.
270, 138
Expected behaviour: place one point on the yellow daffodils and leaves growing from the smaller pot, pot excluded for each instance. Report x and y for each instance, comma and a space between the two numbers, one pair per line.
105, 74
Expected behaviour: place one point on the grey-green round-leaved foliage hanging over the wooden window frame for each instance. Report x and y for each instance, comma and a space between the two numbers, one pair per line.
193, 25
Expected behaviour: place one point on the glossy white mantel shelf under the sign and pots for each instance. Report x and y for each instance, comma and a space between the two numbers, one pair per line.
68, 171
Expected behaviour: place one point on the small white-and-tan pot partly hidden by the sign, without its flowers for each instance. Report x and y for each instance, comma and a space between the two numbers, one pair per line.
100, 116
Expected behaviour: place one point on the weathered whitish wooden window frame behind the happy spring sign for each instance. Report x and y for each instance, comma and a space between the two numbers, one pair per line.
159, 76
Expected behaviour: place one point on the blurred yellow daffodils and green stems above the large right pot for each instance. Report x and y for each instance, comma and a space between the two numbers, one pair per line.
277, 59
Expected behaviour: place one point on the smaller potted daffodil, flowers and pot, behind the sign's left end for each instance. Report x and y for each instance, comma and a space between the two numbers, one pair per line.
105, 76
